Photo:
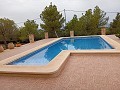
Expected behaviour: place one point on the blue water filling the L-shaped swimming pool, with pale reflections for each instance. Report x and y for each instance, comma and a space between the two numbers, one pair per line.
45, 55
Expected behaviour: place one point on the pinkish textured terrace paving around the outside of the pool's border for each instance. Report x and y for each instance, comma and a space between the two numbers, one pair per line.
82, 72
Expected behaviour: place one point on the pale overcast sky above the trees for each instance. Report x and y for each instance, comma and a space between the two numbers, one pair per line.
21, 10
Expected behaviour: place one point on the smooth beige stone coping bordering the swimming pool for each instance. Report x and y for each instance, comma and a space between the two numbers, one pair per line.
55, 66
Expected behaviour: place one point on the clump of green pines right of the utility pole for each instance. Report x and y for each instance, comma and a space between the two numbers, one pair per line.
89, 23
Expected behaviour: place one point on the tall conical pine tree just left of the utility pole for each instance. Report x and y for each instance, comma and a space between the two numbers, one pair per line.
52, 20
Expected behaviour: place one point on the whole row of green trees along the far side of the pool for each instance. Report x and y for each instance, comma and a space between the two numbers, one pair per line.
53, 23
